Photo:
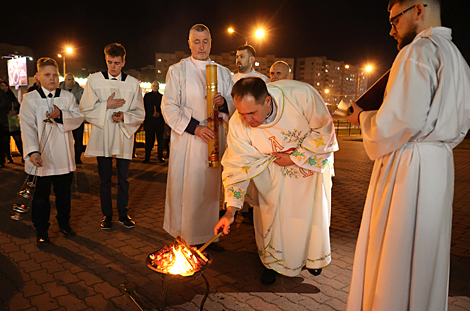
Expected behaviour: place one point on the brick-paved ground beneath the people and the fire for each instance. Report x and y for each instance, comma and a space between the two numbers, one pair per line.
91, 270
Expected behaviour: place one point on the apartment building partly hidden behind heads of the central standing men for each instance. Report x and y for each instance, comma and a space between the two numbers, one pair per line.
262, 64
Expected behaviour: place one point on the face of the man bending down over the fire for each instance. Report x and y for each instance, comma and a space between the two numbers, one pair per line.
252, 112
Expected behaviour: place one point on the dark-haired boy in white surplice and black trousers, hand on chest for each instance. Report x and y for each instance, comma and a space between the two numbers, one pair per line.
112, 102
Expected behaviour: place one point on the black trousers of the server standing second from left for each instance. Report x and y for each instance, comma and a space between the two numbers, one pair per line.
105, 170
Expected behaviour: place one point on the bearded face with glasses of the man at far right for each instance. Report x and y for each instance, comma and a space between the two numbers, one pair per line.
405, 29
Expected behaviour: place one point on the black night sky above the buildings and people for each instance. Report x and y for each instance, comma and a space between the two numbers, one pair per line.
353, 31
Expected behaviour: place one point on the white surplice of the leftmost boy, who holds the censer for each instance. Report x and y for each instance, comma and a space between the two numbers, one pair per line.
57, 153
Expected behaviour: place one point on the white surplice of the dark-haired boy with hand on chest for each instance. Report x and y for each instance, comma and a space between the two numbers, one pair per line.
108, 138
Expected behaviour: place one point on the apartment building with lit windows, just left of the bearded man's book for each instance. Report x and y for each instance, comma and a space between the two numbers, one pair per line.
334, 80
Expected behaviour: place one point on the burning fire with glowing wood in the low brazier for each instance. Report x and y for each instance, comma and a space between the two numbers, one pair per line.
176, 260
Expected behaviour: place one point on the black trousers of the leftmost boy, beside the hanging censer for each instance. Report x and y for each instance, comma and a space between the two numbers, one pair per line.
41, 208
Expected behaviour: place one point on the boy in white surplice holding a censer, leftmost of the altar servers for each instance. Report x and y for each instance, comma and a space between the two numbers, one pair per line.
48, 147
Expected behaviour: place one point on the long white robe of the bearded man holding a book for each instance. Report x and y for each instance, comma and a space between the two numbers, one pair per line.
403, 249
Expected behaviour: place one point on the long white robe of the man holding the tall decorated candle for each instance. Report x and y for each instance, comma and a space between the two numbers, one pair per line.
193, 188
